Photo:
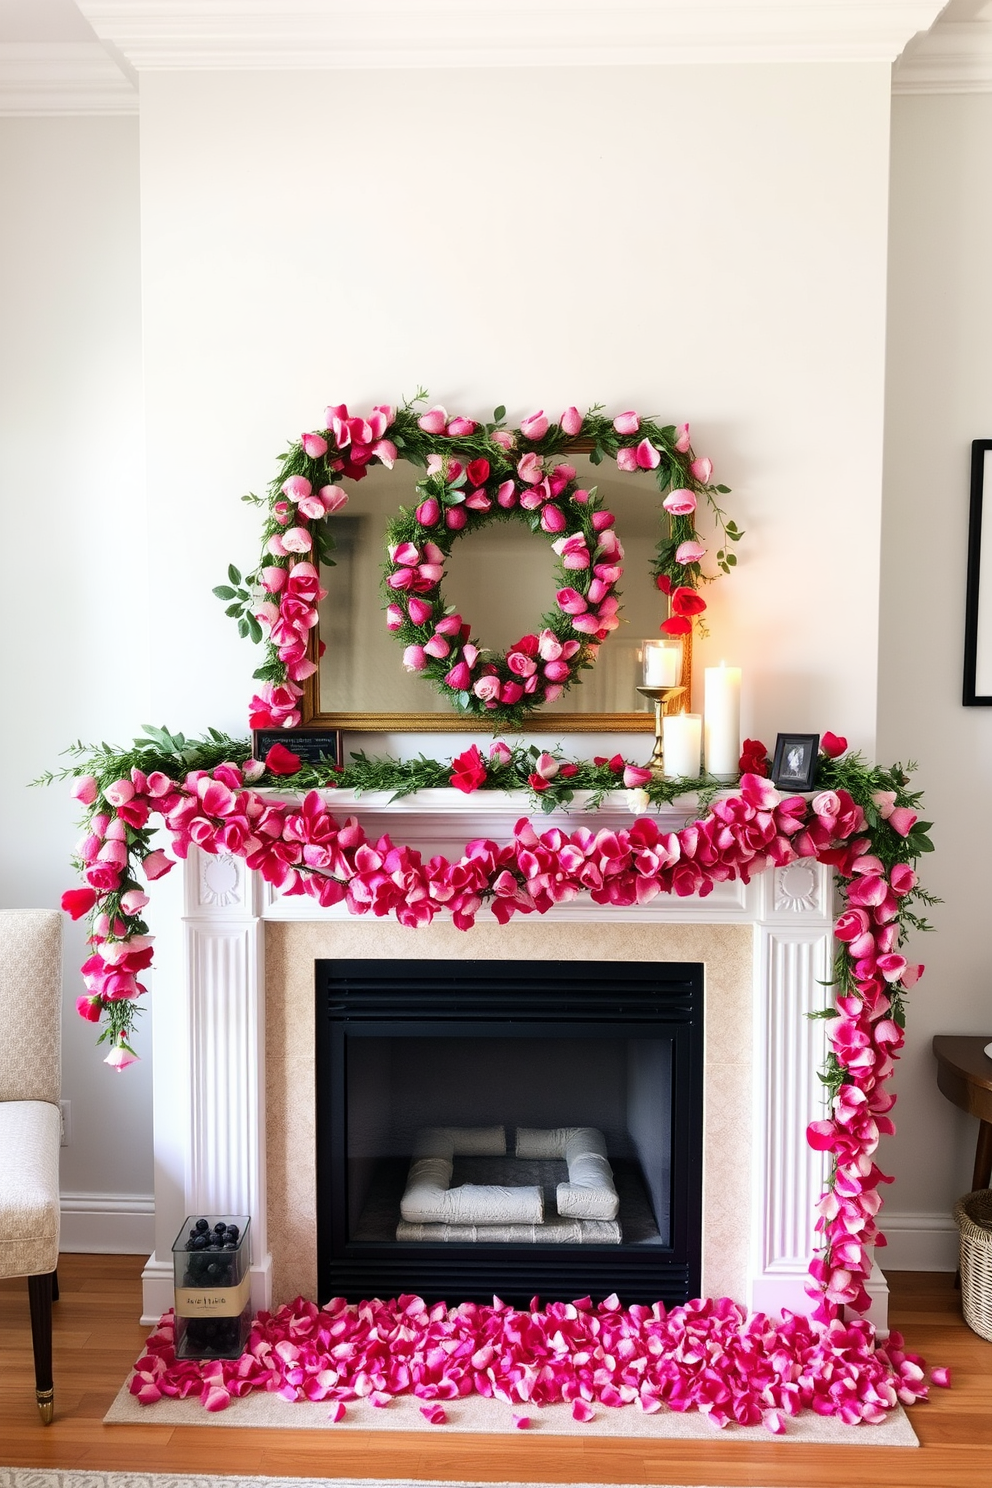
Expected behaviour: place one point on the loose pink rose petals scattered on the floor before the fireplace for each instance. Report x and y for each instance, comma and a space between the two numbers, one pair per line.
709, 1356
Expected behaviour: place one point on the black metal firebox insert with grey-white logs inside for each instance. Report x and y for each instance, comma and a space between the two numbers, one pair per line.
487, 1065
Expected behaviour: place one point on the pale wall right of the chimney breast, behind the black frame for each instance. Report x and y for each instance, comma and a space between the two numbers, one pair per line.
939, 401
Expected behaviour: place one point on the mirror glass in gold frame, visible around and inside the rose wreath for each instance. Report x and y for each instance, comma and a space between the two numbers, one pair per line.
500, 580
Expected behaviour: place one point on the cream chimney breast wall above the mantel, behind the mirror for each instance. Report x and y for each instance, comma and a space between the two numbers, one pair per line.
701, 243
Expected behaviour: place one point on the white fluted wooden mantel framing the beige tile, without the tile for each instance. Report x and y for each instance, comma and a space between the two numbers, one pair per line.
209, 1011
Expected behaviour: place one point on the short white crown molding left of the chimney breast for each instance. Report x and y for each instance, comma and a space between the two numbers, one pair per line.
62, 78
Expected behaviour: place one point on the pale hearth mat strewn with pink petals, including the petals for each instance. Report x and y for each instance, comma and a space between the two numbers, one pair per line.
566, 1370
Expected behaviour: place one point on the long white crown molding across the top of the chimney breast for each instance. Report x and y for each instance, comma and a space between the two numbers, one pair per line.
322, 35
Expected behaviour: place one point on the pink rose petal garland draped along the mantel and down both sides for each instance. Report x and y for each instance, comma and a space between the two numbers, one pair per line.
301, 849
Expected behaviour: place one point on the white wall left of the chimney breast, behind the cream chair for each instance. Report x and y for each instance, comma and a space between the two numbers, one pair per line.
74, 663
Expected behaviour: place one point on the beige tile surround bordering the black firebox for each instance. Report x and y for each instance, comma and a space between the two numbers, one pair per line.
727, 953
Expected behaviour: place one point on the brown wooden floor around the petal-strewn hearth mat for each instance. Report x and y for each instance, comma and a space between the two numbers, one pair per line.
97, 1338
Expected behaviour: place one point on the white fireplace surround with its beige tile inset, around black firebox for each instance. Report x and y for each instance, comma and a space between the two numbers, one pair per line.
236, 1087
